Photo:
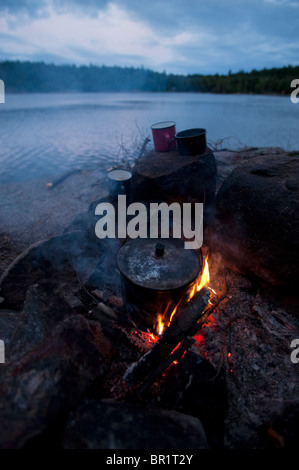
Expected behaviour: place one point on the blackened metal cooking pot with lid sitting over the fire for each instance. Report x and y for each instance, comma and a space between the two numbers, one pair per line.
155, 275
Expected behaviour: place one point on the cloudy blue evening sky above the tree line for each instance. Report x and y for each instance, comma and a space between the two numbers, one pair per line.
175, 36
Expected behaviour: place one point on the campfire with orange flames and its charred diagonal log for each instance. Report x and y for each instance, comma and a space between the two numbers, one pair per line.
172, 337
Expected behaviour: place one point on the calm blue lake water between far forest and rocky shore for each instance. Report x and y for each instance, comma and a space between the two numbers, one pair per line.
48, 134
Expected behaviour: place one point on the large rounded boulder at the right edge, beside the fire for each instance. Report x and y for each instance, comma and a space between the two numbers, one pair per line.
258, 220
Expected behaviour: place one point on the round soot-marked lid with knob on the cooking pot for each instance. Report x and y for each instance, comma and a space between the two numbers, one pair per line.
158, 264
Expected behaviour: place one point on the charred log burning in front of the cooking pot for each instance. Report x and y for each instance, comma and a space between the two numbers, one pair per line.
184, 324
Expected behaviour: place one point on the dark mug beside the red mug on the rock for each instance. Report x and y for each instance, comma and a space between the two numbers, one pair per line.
191, 141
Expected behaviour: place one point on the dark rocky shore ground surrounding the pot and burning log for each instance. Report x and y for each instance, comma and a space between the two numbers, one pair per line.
235, 388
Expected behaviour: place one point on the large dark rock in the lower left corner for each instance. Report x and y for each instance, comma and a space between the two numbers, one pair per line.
51, 360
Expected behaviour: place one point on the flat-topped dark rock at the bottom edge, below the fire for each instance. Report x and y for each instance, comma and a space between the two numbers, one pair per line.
108, 424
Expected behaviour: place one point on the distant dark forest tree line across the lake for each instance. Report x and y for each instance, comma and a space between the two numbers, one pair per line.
40, 77
